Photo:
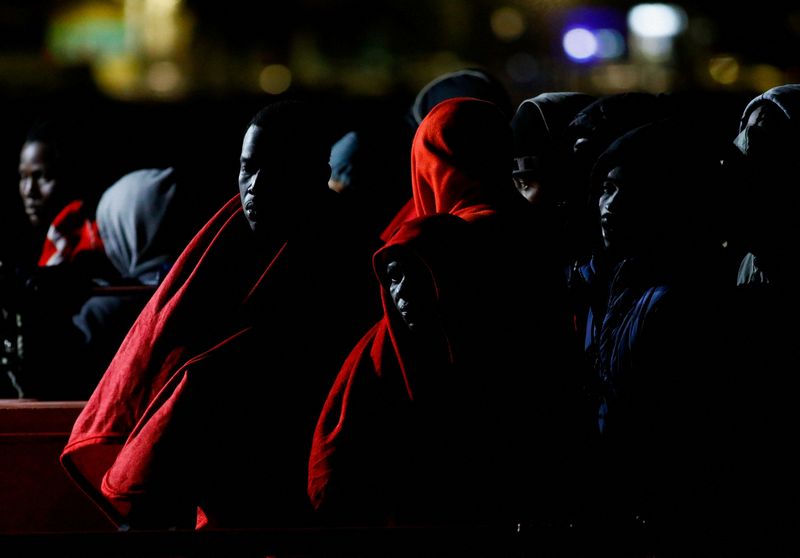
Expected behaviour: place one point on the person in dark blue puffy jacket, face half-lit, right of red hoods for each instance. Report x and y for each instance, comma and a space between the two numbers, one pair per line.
663, 375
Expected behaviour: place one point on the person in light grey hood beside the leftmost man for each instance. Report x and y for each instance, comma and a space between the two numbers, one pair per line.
142, 233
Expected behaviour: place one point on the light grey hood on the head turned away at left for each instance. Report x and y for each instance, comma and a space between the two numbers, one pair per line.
130, 215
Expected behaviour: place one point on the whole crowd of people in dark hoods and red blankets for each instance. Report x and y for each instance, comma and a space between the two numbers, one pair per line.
575, 312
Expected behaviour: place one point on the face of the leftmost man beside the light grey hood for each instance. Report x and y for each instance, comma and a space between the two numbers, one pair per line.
38, 187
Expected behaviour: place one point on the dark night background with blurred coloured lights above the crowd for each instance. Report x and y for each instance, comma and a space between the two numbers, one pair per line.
147, 82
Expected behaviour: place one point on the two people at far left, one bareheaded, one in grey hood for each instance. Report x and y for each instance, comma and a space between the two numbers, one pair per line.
80, 266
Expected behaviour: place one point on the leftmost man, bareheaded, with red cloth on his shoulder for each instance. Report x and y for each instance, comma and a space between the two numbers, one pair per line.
48, 273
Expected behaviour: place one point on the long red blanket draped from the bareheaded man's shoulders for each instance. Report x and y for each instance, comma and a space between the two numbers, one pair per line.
114, 444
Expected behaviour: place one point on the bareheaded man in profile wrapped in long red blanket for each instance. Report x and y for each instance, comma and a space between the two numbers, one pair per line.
204, 415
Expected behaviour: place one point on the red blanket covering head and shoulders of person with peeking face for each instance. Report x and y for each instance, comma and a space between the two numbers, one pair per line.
363, 434
